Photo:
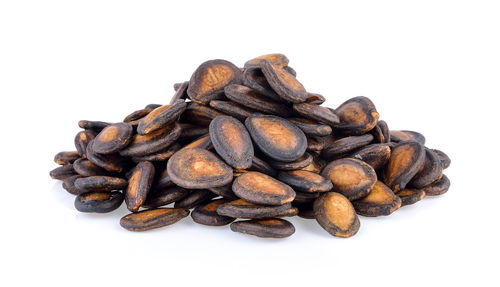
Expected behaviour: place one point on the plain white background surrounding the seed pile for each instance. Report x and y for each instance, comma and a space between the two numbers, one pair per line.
430, 66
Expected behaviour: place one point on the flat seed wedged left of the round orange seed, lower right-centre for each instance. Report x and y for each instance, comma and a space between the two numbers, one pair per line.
305, 181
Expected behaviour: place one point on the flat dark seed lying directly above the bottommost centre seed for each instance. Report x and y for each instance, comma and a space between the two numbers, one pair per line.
244, 209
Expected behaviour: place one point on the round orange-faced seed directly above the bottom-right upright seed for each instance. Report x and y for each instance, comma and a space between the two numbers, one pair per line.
350, 177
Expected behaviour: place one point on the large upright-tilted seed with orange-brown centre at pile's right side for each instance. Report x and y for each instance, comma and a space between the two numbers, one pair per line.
405, 161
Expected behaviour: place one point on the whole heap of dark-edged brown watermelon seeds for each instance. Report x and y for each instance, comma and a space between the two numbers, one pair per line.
252, 145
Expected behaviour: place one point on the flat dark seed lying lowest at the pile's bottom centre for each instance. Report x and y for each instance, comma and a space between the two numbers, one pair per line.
266, 228
